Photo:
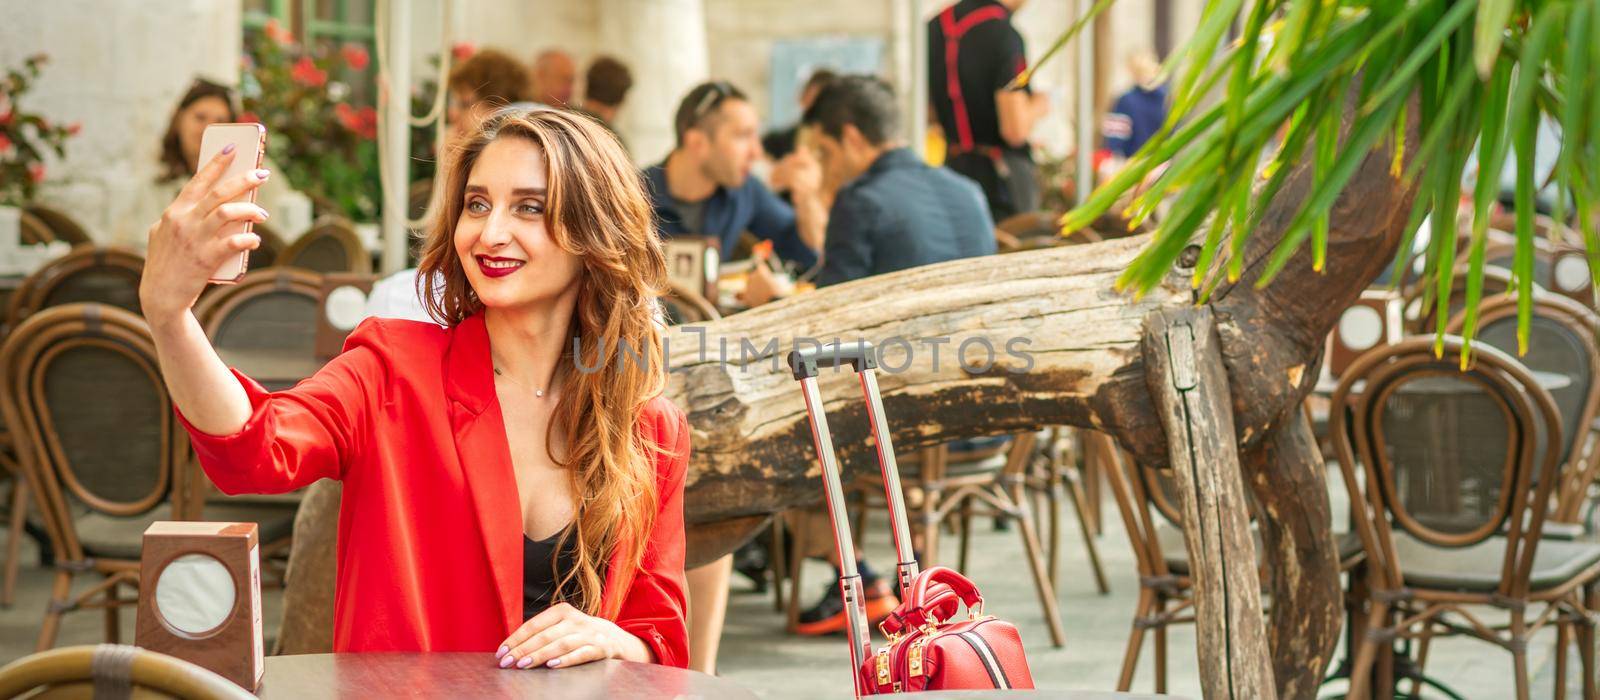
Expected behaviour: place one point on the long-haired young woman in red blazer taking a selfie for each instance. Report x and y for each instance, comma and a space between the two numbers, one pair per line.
502, 495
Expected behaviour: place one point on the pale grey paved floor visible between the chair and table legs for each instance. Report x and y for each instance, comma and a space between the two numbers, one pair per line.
758, 654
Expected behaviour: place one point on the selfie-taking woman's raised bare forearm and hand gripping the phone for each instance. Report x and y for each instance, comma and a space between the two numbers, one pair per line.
185, 249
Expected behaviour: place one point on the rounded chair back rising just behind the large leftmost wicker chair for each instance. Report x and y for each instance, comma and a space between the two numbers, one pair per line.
89, 274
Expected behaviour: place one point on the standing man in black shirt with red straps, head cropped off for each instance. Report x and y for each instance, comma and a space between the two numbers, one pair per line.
974, 54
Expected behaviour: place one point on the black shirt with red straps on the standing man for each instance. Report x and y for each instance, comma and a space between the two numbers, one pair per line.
988, 55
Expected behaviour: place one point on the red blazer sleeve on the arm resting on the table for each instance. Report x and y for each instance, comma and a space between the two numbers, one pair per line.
655, 608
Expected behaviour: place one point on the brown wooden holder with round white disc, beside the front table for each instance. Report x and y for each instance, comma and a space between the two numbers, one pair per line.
201, 597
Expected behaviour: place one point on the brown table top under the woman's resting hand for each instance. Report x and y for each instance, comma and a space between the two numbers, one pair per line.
313, 677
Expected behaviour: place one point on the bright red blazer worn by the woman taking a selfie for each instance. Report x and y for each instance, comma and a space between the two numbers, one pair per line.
430, 527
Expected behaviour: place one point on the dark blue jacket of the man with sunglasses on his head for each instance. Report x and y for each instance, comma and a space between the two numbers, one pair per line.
729, 213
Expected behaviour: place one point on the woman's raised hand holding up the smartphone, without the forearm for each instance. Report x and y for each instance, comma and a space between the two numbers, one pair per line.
188, 245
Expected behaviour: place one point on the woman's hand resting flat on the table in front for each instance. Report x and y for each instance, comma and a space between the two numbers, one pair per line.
566, 637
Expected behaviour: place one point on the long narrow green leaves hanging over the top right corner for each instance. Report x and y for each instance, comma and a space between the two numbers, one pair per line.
1482, 74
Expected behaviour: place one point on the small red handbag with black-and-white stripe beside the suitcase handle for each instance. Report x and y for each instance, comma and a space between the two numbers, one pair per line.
930, 653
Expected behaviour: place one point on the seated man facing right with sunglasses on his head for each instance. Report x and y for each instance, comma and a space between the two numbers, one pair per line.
705, 186
